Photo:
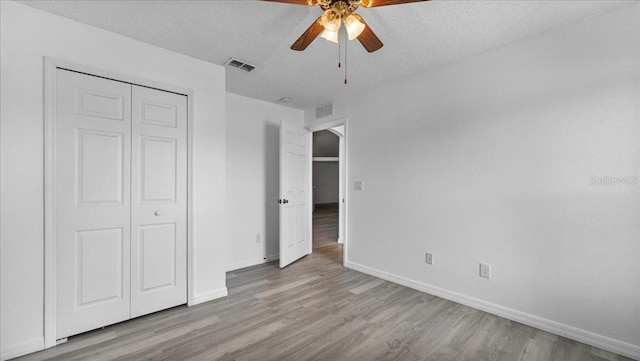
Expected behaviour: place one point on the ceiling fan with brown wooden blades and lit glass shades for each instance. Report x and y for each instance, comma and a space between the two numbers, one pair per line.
337, 12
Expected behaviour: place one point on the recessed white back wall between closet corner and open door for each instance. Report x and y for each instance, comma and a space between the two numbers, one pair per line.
253, 133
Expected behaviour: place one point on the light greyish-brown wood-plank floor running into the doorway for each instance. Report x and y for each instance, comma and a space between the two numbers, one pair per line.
317, 310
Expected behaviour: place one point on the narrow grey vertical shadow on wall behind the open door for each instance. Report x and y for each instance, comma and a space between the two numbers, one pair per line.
272, 185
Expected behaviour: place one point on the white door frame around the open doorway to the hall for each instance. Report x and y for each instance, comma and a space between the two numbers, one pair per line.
342, 183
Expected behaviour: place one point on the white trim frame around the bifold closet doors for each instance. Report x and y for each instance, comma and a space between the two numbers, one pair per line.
50, 255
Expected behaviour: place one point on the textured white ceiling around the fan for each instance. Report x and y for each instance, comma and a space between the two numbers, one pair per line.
417, 37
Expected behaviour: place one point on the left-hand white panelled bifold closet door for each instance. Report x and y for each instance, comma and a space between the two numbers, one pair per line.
93, 127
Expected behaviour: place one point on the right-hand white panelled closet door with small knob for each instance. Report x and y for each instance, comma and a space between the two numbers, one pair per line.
159, 200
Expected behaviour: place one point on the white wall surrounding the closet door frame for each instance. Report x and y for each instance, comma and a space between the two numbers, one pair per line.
26, 36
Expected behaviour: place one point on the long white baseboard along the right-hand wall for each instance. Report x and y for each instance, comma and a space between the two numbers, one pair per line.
589, 338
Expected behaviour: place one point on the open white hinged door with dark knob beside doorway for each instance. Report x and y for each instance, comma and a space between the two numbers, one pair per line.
295, 241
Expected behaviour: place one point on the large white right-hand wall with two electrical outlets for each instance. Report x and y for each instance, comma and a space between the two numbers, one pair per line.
490, 160
